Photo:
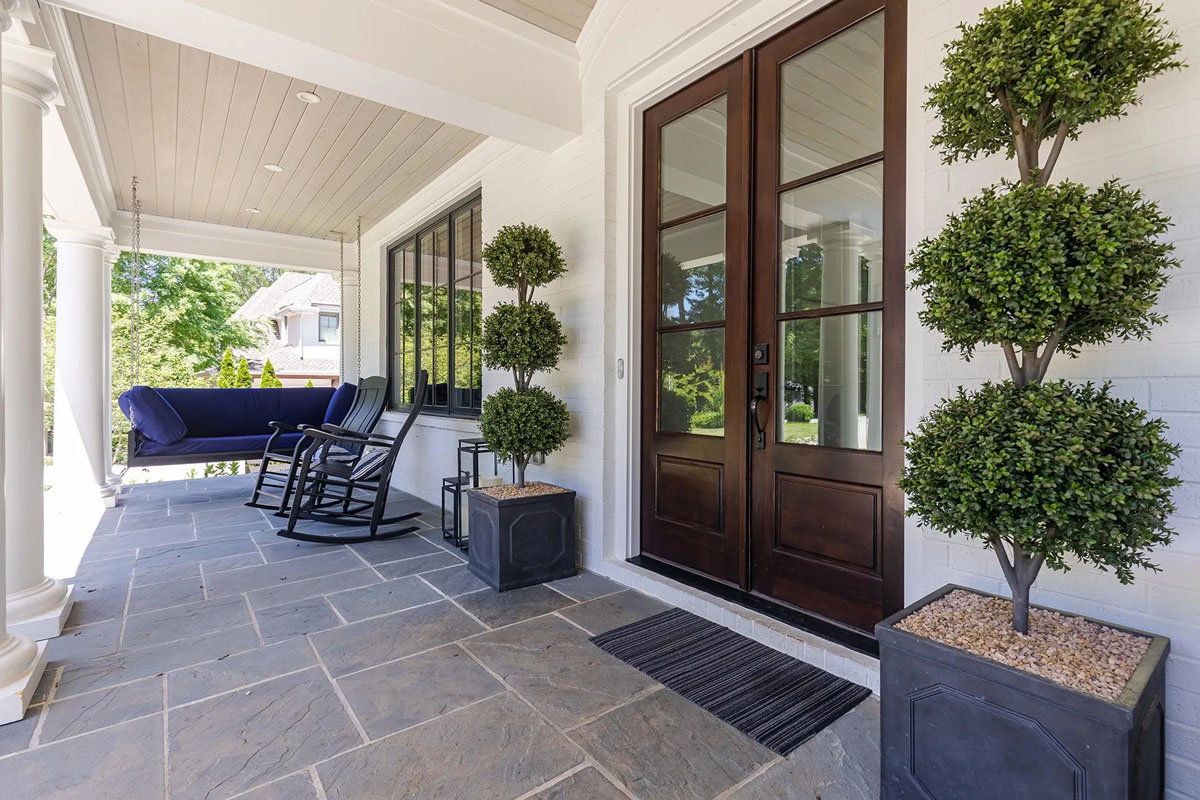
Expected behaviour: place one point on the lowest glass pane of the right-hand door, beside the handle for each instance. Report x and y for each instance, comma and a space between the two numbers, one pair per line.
831, 390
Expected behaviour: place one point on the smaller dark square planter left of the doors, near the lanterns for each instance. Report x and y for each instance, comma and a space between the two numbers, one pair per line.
521, 542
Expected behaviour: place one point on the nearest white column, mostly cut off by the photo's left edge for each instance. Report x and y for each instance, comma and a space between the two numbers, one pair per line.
22, 663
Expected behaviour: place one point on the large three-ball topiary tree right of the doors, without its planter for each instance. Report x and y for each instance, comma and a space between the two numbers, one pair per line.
1041, 471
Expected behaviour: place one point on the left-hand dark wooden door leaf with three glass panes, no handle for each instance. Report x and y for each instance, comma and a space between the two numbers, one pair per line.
695, 328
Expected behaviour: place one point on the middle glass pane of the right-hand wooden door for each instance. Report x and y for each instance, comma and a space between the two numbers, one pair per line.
831, 237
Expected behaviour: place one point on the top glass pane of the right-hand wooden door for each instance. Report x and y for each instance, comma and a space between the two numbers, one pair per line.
832, 103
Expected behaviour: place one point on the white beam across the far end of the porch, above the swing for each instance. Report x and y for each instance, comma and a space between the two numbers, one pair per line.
205, 240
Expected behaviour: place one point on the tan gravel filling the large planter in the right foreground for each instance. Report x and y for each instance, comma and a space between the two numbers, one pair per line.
1069, 651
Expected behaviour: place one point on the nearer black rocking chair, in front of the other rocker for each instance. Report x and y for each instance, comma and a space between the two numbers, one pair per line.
350, 491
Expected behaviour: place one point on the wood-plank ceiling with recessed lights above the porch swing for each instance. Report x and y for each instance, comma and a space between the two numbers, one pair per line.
199, 129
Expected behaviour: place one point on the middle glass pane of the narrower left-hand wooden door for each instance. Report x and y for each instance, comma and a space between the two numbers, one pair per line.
692, 272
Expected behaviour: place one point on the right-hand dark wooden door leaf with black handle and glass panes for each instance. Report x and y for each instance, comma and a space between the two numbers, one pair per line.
829, 286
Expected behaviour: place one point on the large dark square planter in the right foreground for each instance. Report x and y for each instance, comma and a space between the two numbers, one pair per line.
958, 726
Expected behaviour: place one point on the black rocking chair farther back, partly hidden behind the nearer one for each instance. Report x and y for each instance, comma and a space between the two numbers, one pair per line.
365, 412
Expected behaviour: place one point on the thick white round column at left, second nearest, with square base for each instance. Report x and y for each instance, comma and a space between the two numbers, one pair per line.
38, 605
